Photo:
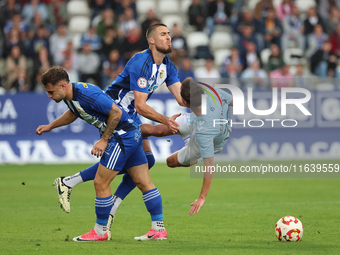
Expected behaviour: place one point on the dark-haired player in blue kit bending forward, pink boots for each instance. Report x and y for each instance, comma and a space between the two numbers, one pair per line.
120, 146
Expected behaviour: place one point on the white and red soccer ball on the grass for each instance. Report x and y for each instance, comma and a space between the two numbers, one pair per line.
289, 229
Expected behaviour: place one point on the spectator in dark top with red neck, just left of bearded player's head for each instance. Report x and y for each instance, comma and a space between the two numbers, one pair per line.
133, 43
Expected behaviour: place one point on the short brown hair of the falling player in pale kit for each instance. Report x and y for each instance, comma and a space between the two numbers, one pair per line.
191, 92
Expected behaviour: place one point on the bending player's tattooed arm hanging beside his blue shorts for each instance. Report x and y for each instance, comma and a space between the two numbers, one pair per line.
113, 119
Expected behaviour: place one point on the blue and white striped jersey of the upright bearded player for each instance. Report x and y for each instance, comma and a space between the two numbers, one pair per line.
142, 74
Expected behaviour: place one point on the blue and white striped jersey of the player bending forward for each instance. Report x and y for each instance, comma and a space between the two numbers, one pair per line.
92, 105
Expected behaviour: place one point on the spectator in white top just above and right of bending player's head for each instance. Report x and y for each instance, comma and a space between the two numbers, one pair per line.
89, 64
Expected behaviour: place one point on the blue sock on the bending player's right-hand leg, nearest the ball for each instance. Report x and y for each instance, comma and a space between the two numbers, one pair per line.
153, 203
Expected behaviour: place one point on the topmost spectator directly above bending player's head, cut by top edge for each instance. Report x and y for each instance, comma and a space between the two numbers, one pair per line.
57, 12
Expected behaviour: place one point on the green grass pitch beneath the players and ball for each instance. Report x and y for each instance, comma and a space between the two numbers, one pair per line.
238, 217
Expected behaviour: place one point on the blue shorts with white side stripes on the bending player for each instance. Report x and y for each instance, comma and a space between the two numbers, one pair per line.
124, 151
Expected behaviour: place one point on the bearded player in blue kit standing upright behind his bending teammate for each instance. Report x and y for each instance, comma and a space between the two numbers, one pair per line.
144, 73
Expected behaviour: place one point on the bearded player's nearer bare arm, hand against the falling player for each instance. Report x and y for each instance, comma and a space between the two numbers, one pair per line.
145, 110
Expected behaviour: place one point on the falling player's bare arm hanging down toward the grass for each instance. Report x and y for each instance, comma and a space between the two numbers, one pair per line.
207, 180
